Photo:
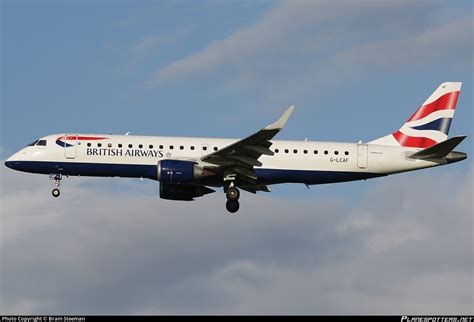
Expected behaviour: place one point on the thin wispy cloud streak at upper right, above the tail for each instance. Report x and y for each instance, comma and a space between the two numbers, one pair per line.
316, 44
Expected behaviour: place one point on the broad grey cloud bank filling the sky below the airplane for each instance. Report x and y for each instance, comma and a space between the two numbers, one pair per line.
406, 247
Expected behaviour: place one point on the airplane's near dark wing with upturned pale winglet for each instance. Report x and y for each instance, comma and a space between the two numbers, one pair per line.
240, 157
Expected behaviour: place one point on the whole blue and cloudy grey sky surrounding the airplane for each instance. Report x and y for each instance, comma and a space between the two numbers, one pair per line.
356, 70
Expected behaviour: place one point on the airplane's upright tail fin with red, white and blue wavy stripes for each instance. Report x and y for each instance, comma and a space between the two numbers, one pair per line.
430, 124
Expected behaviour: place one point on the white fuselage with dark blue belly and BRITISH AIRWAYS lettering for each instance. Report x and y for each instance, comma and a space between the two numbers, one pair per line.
308, 162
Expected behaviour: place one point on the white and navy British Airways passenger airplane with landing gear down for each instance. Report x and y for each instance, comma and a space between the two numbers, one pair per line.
189, 167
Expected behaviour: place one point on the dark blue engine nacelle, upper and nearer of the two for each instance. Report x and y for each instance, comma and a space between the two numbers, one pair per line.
178, 171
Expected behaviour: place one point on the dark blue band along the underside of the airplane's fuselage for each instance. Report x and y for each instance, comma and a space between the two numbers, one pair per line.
265, 176
